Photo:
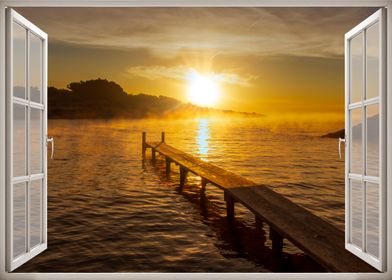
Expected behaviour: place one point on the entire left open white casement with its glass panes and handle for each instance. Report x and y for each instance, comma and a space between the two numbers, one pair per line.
26, 140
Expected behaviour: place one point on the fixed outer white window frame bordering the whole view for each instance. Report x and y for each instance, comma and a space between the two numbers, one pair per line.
193, 3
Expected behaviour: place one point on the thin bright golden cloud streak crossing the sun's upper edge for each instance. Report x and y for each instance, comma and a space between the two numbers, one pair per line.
183, 73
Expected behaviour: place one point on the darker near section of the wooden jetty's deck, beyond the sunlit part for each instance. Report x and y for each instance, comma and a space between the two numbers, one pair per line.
316, 237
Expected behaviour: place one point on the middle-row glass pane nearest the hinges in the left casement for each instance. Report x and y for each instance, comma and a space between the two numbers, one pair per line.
19, 140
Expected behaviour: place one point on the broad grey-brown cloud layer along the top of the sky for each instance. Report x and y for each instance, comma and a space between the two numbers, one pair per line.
233, 31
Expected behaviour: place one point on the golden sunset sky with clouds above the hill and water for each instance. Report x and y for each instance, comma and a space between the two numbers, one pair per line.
274, 61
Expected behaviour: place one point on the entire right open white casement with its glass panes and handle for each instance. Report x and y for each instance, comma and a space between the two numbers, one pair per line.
365, 138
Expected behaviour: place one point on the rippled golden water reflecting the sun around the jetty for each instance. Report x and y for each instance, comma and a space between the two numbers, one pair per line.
108, 211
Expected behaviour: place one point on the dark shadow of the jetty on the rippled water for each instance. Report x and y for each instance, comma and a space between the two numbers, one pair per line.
240, 238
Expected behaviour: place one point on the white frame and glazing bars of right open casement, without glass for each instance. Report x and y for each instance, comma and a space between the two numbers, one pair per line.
379, 17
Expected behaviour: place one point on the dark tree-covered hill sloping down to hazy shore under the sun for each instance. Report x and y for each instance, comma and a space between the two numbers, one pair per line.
103, 99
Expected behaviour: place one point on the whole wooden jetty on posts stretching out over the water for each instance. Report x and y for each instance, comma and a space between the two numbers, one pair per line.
313, 235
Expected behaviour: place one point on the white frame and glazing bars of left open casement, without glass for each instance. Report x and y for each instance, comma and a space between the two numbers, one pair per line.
42, 106
